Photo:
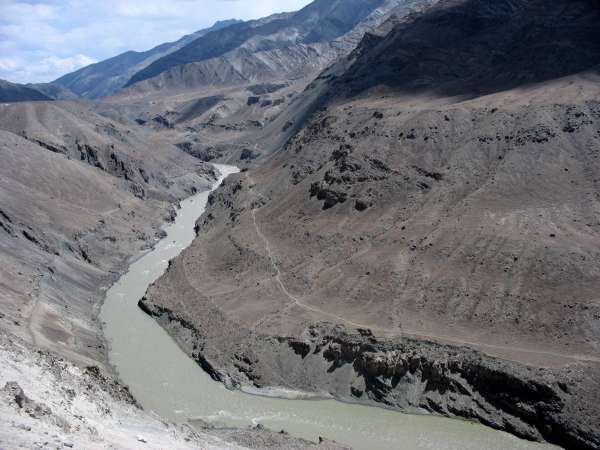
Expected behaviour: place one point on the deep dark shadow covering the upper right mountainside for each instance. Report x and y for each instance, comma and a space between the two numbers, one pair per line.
477, 47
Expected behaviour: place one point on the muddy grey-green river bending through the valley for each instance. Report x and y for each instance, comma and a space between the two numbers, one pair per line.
164, 380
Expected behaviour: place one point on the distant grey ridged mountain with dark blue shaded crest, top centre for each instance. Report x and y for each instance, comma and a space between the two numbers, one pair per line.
282, 46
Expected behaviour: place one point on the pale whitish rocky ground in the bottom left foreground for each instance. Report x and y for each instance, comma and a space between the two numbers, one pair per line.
47, 402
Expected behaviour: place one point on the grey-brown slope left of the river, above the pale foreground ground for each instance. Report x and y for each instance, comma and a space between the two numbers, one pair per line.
79, 195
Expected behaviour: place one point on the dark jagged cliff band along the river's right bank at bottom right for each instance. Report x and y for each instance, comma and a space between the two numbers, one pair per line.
410, 375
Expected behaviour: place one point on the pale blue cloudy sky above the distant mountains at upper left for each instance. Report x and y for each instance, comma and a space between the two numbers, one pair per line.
42, 40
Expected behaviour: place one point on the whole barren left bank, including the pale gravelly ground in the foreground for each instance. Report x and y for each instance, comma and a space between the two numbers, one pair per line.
80, 196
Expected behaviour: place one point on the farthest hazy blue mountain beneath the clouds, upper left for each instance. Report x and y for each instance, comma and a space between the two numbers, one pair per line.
106, 77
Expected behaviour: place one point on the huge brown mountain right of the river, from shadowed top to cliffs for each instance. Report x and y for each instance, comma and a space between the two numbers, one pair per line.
422, 229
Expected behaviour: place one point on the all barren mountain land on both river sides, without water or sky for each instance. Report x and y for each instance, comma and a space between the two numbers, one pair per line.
415, 225
